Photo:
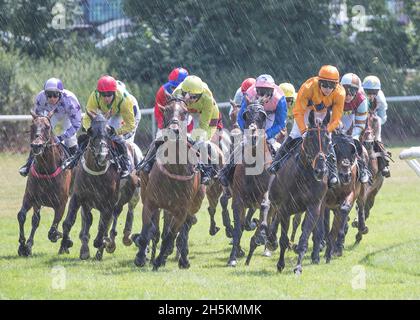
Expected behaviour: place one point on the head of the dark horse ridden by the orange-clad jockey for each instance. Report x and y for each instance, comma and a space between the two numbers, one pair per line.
315, 145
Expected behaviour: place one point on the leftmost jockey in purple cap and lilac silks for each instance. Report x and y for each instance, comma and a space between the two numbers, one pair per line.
67, 113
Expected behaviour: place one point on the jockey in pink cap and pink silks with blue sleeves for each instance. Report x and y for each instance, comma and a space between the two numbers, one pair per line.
274, 104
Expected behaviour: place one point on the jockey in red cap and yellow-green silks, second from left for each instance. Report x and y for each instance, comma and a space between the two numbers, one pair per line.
112, 98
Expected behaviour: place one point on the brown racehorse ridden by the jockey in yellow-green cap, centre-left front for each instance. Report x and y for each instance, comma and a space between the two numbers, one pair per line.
174, 187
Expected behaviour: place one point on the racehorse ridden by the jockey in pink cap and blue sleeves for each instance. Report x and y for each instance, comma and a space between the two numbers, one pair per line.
248, 190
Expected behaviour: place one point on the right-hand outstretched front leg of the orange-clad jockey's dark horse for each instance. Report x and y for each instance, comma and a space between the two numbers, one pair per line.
312, 215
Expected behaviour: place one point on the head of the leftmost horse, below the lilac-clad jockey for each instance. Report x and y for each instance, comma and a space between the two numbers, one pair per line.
40, 132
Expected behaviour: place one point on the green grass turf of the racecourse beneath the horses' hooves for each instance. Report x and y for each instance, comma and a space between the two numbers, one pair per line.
385, 265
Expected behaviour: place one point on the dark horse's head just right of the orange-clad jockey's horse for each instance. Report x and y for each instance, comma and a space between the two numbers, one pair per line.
346, 152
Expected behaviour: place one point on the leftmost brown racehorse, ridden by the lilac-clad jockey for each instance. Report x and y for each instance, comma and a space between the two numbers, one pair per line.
47, 184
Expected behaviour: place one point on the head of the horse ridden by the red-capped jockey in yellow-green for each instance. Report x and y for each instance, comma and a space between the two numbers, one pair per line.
98, 137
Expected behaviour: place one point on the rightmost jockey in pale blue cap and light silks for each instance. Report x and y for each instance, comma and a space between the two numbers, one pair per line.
378, 105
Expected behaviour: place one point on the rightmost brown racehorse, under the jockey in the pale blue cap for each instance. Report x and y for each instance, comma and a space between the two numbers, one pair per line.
366, 199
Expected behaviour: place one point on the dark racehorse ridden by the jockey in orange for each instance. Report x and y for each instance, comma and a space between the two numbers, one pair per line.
299, 185
